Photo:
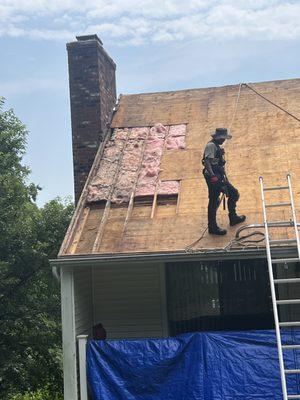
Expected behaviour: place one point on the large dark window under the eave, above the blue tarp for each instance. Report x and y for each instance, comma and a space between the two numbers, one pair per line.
219, 295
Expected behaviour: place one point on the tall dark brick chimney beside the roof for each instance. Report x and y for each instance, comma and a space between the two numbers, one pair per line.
92, 96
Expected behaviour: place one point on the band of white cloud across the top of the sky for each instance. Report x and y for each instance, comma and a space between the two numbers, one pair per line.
142, 21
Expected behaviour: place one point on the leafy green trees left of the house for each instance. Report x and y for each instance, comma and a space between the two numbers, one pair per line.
30, 341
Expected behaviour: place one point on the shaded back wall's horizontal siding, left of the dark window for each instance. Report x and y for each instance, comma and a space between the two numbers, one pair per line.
128, 300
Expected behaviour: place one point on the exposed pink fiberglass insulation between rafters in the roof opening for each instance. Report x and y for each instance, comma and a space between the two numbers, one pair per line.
159, 136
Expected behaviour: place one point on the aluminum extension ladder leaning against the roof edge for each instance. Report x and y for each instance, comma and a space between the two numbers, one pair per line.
273, 282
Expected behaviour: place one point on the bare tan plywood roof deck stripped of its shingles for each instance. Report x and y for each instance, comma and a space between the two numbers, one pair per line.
265, 142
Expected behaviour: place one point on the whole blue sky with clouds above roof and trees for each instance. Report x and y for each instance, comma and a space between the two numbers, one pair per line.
157, 46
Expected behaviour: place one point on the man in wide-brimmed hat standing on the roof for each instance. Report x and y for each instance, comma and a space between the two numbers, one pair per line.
217, 182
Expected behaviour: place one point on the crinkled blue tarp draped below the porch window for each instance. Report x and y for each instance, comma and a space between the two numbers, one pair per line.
195, 366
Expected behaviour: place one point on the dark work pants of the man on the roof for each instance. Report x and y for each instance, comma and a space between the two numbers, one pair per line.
214, 191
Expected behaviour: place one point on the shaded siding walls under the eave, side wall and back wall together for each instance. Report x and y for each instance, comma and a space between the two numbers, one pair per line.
129, 300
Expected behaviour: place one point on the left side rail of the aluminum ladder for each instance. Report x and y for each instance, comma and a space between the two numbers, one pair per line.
273, 294
